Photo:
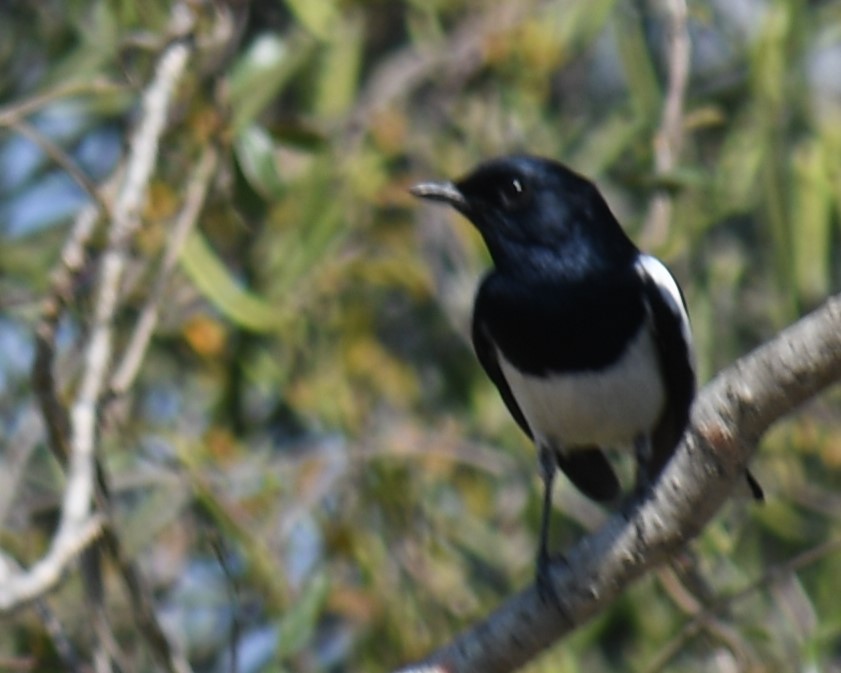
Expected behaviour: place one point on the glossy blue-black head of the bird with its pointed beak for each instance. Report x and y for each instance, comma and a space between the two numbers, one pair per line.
536, 212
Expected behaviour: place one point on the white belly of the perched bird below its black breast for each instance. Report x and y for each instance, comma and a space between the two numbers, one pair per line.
609, 407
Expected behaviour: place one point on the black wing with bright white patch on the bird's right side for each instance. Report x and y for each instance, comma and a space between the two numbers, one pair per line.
670, 326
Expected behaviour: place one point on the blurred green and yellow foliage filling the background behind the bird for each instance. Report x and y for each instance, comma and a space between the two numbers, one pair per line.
311, 469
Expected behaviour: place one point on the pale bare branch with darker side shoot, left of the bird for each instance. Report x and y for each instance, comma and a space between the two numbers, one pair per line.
79, 525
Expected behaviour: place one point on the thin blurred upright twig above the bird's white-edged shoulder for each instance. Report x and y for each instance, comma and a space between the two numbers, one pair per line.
669, 137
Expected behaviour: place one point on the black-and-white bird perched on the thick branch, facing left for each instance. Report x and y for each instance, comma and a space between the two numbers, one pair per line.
586, 338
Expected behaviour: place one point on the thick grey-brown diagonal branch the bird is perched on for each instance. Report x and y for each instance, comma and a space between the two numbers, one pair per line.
730, 415
